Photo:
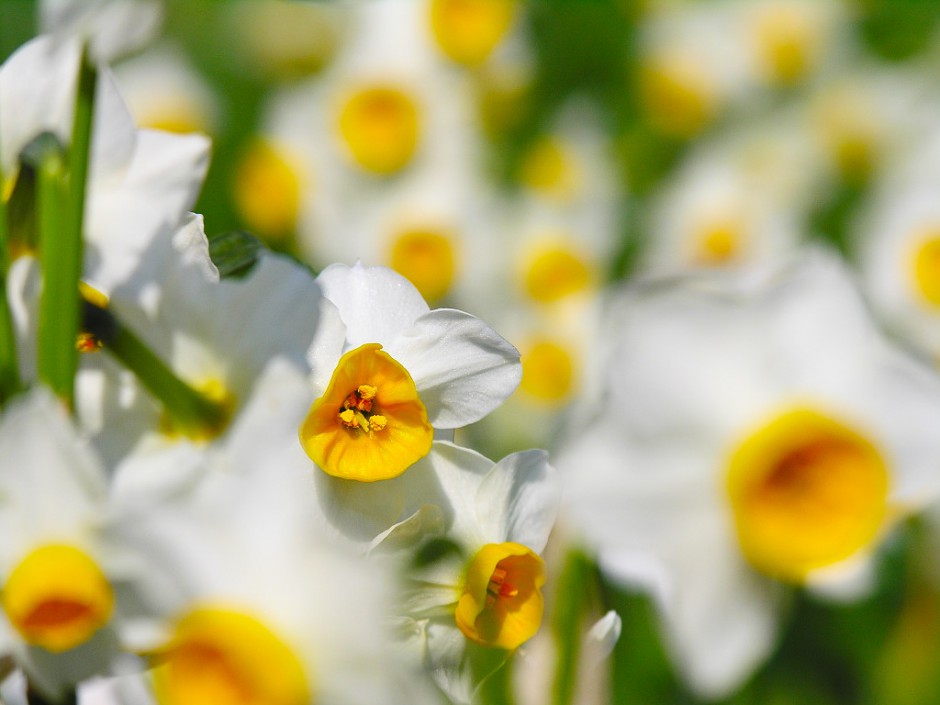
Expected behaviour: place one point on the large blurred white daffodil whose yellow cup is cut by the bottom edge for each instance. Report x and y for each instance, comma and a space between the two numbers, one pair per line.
235, 593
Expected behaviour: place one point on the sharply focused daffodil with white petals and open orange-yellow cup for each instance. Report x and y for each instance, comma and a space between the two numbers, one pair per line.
388, 372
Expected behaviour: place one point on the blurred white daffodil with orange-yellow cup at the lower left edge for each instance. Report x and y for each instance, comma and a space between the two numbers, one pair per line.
56, 563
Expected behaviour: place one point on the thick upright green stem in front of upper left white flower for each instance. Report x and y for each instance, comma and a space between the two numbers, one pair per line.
62, 212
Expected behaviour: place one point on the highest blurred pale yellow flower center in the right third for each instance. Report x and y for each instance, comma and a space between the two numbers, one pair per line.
787, 41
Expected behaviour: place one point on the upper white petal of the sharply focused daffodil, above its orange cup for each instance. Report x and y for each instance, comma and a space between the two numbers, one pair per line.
375, 303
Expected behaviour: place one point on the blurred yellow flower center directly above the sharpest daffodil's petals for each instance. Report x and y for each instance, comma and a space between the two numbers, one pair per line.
426, 258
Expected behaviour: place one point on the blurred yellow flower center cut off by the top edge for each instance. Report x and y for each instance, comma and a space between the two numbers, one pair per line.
467, 30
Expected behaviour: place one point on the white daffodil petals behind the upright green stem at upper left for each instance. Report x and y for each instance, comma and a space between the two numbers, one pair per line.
141, 183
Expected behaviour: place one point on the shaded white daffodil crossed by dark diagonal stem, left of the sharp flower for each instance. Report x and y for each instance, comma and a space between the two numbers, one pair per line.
216, 335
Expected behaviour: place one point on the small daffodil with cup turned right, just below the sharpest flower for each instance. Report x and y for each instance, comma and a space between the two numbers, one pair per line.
487, 591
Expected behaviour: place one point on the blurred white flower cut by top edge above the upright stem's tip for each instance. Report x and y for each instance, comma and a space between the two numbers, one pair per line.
112, 28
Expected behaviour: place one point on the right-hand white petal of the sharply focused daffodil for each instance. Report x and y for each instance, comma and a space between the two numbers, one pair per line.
462, 368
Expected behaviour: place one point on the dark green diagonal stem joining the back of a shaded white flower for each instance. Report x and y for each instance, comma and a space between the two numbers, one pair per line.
192, 413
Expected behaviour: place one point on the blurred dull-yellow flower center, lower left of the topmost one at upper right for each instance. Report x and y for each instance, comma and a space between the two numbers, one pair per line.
677, 94
